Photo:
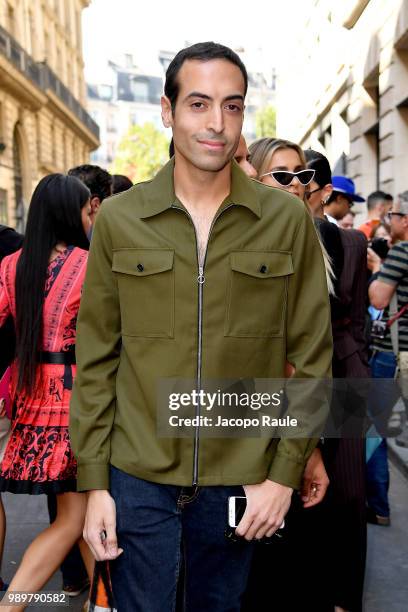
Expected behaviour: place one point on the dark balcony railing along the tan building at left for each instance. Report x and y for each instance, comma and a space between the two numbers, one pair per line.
44, 78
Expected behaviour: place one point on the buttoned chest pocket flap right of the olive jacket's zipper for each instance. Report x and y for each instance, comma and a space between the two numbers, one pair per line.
262, 264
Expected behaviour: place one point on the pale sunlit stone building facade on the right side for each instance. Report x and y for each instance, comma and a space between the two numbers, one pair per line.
344, 89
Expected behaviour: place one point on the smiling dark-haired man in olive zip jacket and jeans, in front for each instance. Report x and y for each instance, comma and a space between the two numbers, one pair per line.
198, 274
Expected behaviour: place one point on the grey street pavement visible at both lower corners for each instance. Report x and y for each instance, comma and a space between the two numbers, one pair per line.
387, 558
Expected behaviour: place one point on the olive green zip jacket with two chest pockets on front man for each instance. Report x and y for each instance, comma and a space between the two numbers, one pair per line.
146, 314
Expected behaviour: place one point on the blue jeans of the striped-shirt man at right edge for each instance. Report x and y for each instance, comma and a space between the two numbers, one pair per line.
382, 365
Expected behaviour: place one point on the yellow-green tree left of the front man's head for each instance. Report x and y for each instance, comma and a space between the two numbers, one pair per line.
141, 153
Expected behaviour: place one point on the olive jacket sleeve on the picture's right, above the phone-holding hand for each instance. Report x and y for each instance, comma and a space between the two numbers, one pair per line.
309, 348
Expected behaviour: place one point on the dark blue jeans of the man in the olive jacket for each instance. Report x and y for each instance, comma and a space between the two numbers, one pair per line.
158, 527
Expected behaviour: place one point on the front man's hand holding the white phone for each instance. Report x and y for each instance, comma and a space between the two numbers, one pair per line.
267, 505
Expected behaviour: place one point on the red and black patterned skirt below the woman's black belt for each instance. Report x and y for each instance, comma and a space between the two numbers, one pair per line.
38, 457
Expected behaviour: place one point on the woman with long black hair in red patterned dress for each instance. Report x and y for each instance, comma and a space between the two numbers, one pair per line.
40, 286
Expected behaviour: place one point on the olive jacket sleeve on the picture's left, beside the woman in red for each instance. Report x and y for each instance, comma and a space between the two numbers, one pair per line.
98, 350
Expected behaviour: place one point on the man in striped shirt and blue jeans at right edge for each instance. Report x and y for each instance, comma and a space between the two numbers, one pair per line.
388, 291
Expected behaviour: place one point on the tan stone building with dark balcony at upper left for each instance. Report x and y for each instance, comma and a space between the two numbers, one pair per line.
44, 126
